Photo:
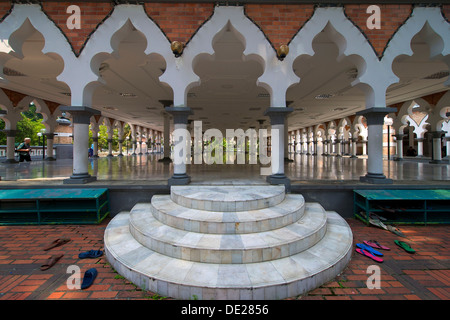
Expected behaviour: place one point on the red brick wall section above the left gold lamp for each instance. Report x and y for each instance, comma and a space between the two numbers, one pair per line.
179, 21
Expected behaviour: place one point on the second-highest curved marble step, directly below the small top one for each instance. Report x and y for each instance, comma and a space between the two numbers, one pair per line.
288, 211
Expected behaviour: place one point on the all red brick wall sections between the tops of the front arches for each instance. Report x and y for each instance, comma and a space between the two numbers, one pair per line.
180, 21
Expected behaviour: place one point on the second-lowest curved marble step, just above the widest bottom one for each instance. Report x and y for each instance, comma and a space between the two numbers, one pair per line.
228, 248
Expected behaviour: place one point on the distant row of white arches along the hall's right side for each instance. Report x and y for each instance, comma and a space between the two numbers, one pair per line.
354, 129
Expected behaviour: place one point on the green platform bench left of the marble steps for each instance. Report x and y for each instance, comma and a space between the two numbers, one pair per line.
53, 206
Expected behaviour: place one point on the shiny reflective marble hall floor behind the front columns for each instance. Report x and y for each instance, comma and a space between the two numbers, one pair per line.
147, 169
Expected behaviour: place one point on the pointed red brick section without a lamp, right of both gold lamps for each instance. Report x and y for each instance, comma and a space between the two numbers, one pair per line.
392, 17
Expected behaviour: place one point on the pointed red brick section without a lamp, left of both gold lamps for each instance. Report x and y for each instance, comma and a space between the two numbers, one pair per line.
91, 15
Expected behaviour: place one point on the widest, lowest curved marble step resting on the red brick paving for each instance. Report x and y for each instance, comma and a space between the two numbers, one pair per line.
182, 279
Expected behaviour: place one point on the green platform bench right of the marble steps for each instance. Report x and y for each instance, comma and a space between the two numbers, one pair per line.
403, 206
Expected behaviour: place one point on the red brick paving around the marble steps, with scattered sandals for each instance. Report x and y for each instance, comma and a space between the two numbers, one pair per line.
424, 275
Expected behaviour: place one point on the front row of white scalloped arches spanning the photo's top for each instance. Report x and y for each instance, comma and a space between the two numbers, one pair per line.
81, 73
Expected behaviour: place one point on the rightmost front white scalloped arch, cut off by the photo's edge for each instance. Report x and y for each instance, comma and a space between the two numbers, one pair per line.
438, 36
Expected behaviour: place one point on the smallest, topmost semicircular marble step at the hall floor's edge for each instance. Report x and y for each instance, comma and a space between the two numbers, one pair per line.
227, 198
